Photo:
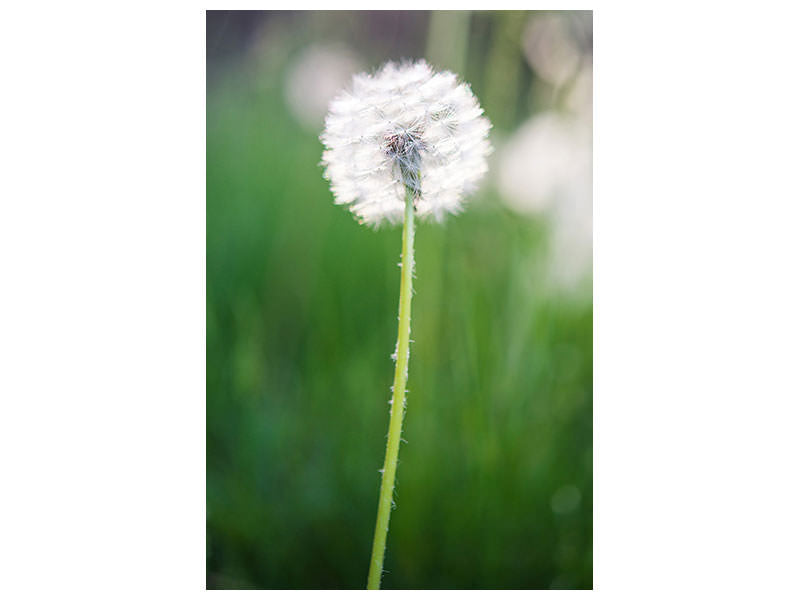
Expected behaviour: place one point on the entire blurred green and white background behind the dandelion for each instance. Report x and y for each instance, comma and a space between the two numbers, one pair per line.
494, 486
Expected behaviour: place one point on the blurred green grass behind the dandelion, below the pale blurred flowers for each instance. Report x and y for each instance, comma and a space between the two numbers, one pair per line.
302, 320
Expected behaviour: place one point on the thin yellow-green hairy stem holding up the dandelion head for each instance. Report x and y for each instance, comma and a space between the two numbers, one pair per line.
398, 399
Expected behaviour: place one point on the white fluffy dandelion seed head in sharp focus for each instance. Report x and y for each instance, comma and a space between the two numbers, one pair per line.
405, 127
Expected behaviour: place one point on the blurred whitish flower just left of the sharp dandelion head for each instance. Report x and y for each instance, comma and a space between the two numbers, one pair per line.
313, 79
